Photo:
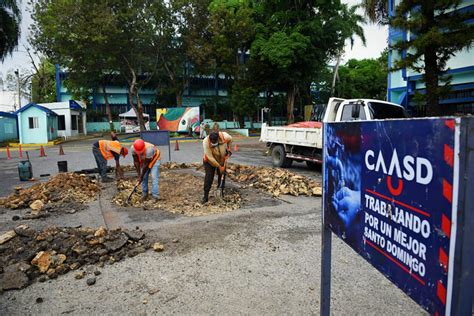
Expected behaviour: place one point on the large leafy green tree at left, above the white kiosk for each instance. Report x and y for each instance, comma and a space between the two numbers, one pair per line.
105, 40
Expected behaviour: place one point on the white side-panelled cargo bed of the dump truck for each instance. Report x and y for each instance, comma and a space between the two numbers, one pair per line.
308, 137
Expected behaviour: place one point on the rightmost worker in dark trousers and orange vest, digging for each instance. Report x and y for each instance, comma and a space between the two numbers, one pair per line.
216, 152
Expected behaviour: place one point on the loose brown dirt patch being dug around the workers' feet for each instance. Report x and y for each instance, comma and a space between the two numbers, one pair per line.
181, 193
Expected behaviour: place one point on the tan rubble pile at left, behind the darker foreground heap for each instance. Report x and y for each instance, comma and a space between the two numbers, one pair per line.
59, 189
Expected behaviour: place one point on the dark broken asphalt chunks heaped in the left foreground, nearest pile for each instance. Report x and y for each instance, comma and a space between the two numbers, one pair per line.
27, 255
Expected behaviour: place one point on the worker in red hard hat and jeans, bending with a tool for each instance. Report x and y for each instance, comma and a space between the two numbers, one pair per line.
146, 159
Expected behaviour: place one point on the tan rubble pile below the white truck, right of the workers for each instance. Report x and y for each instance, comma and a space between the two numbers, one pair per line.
273, 180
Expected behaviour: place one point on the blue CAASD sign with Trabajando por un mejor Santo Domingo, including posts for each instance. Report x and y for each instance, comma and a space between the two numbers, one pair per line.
400, 193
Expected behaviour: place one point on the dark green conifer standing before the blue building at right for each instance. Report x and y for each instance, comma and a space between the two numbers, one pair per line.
438, 31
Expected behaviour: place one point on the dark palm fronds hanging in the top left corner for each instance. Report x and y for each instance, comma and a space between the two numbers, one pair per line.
10, 17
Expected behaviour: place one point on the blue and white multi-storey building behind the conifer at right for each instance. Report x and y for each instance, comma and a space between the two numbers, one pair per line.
403, 84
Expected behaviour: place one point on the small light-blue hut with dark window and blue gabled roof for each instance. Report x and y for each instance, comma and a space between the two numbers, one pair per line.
37, 124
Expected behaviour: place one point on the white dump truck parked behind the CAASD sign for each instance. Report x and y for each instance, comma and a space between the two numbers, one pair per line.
304, 141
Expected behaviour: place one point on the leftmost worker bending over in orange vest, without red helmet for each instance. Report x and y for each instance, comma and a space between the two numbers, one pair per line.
104, 150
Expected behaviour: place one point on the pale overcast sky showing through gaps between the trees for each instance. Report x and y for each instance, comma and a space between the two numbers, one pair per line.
376, 41
